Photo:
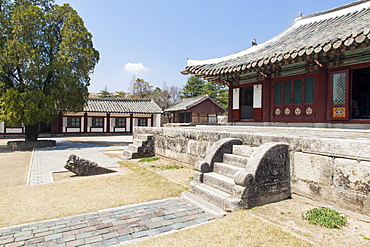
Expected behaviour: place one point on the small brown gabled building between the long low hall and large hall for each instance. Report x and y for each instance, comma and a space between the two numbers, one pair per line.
197, 110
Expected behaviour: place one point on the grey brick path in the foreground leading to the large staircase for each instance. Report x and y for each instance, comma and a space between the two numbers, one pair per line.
108, 227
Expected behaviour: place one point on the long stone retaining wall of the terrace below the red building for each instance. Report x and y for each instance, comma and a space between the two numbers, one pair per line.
335, 171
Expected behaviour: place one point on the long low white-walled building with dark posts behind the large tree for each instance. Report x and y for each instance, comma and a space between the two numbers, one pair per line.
101, 116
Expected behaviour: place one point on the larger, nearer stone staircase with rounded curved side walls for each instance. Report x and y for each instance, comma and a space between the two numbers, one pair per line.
241, 176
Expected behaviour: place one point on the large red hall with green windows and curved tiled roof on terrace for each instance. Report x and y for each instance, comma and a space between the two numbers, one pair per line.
315, 73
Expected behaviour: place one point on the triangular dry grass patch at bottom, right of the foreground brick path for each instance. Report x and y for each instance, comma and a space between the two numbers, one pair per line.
237, 229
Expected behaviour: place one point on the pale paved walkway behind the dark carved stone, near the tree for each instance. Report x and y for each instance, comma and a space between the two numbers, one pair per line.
45, 161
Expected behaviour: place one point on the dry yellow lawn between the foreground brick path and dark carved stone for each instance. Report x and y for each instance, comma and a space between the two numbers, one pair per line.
23, 204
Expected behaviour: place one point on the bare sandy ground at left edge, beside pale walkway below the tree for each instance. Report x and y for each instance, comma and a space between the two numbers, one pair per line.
14, 165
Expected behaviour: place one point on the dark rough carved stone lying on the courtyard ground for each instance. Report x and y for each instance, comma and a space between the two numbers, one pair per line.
82, 167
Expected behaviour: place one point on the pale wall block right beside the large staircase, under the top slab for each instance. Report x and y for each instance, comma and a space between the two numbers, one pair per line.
314, 168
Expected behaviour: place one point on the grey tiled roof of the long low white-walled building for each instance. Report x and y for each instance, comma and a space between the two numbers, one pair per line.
139, 106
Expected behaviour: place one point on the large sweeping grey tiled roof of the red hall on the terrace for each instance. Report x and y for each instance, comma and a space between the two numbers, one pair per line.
313, 34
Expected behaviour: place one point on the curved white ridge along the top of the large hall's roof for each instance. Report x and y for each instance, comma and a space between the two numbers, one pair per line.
300, 21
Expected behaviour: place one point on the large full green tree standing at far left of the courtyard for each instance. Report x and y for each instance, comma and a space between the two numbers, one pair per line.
46, 56
